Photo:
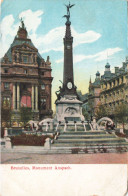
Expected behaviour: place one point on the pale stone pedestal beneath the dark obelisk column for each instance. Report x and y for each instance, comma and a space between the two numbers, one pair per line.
69, 108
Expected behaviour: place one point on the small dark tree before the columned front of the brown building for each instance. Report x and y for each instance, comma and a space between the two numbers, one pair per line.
25, 115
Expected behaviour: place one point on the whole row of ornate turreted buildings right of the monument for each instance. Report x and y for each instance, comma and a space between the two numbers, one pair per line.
109, 90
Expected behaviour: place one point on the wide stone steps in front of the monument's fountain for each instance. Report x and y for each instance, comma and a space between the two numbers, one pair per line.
86, 139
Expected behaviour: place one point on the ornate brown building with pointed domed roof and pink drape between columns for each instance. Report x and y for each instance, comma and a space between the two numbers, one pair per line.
26, 78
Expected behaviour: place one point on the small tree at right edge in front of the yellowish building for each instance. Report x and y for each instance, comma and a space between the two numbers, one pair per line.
121, 113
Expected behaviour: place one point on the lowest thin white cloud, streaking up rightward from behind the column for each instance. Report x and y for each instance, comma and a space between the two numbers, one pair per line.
100, 56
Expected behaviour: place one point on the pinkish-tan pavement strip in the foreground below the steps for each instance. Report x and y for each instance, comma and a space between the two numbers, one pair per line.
100, 158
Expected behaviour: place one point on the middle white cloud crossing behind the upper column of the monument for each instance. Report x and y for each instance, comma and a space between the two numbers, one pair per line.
53, 39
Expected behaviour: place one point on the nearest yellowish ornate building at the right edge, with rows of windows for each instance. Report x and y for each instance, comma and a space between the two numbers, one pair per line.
115, 90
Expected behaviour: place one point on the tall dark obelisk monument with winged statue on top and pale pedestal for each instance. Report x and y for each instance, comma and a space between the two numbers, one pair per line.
68, 105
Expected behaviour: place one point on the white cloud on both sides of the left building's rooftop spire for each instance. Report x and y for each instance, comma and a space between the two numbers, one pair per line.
9, 28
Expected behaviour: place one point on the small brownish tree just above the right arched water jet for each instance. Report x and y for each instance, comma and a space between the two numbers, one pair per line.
101, 111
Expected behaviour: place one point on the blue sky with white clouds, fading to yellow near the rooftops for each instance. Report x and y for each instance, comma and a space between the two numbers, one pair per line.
99, 30
